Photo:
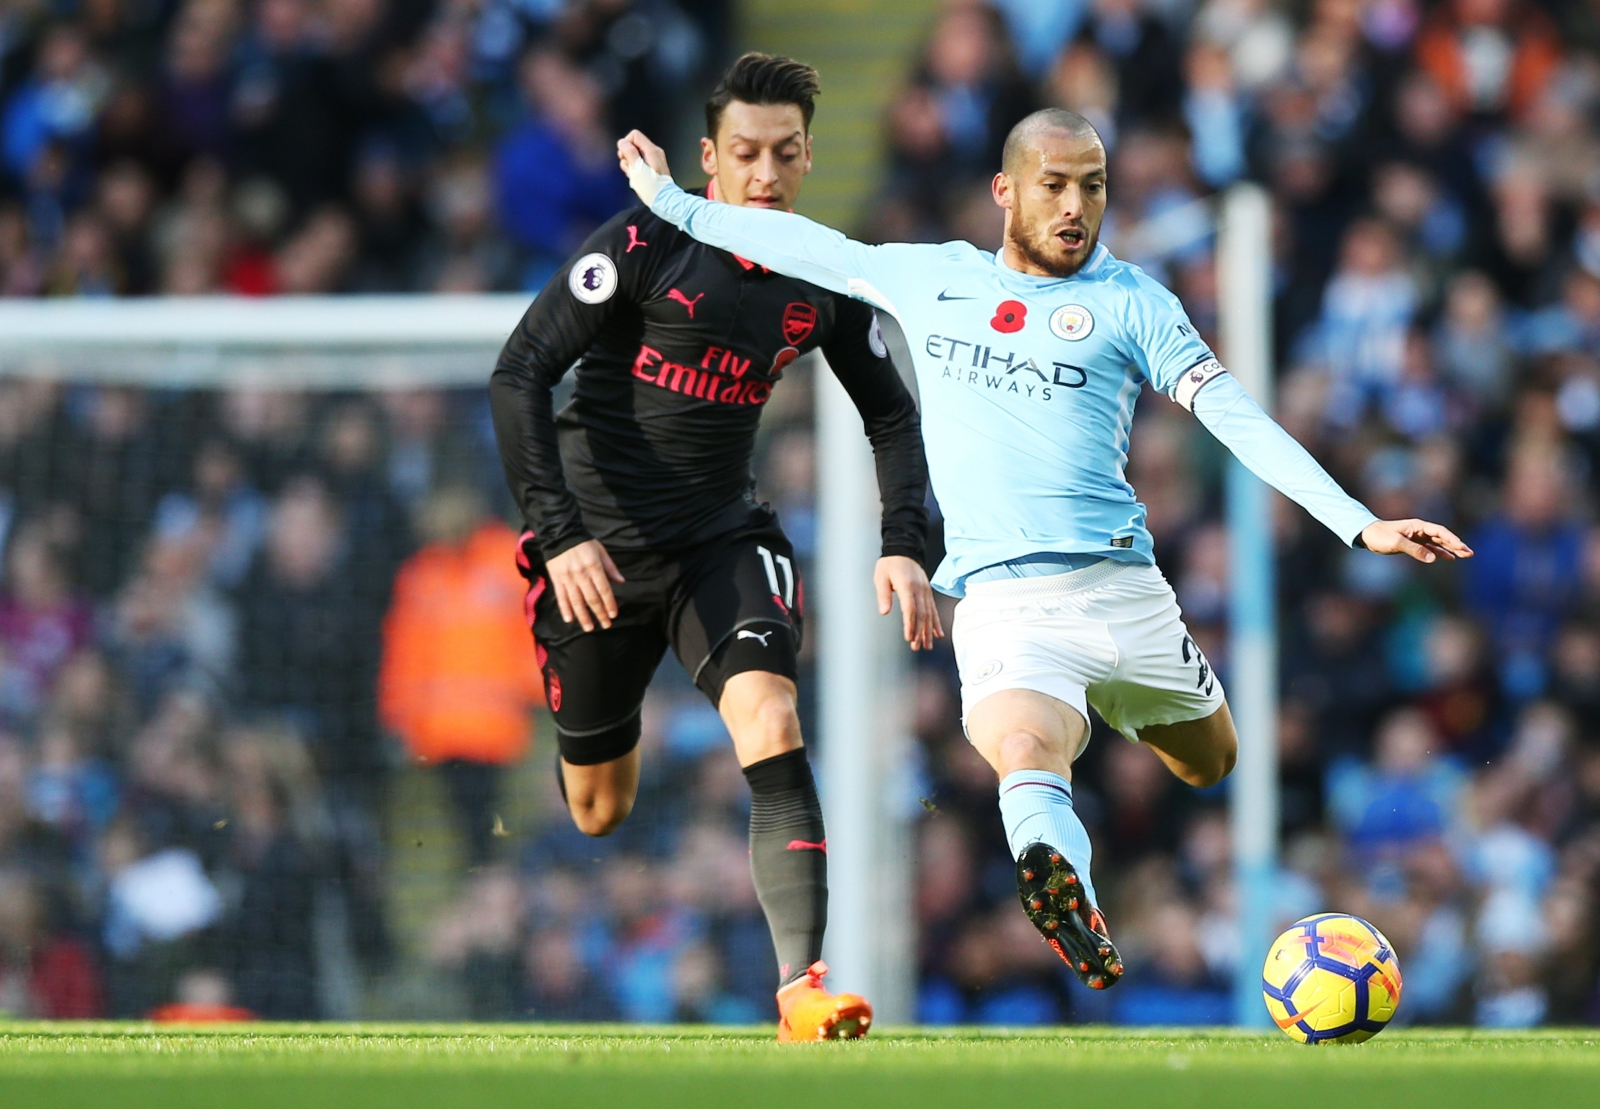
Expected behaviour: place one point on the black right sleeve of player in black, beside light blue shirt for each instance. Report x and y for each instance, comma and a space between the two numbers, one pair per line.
860, 361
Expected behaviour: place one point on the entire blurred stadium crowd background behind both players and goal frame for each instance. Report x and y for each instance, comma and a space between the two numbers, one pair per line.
217, 793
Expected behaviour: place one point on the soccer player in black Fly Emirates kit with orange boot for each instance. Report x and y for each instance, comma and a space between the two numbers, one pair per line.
644, 529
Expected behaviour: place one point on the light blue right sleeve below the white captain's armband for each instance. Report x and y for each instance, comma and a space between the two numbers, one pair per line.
1273, 455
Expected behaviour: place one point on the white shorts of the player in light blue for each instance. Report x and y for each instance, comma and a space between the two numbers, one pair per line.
1108, 636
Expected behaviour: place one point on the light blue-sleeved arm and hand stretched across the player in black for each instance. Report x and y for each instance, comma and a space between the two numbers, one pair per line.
782, 241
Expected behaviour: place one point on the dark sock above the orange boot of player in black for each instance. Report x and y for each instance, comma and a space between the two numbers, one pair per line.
790, 859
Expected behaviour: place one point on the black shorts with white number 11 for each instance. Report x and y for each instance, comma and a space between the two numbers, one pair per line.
727, 606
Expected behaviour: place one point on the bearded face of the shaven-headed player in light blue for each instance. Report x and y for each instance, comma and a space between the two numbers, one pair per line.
1055, 202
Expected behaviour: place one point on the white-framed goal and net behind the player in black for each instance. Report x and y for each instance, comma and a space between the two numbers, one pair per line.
271, 735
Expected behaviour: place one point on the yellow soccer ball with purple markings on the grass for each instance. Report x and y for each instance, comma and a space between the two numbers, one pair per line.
1332, 979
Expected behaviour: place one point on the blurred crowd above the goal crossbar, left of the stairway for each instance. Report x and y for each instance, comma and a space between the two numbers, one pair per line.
326, 146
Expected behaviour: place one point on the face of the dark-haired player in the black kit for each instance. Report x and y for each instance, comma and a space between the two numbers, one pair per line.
759, 154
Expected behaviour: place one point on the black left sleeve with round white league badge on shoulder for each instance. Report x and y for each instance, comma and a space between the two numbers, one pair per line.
559, 327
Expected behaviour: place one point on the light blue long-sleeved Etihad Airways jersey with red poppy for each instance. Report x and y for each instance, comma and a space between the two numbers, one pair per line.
1028, 385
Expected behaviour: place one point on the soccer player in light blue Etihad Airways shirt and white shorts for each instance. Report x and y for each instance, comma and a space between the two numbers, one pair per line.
1030, 364
